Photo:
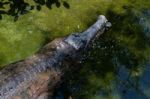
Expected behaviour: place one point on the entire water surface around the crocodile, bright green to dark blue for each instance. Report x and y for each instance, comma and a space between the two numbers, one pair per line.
117, 65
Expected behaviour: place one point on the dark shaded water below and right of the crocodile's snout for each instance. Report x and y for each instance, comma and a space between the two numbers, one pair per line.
115, 65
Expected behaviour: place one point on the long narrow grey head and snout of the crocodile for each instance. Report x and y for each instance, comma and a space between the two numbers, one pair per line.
81, 40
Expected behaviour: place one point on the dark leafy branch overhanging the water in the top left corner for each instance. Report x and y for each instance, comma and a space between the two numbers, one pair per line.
17, 8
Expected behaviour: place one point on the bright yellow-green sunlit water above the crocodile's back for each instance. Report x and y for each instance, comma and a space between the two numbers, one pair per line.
24, 37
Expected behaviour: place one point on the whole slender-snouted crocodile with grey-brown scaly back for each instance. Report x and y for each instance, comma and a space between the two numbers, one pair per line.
32, 77
